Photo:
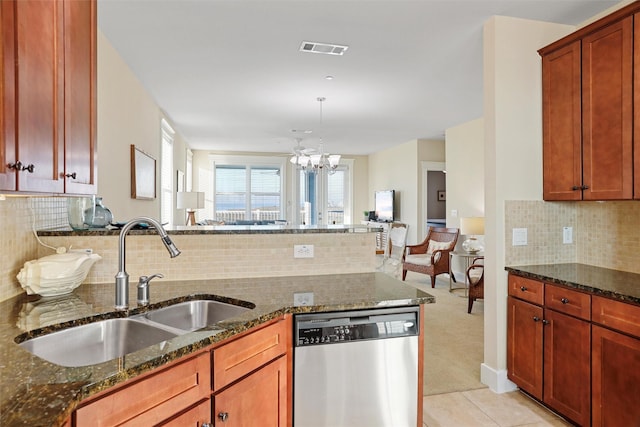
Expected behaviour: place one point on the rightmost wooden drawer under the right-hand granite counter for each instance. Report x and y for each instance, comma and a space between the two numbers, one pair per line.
616, 315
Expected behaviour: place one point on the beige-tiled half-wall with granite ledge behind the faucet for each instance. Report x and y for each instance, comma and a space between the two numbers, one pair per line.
223, 252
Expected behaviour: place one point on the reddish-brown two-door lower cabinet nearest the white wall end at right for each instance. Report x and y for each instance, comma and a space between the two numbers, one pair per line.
549, 352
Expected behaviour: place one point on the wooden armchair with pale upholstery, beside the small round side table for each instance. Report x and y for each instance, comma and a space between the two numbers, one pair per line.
431, 257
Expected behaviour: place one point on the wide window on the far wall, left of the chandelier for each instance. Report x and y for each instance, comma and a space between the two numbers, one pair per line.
248, 189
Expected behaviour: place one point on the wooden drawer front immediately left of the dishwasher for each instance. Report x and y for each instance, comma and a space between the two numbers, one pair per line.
238, 358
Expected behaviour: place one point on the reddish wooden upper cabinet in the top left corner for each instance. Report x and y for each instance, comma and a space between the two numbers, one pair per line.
48, 109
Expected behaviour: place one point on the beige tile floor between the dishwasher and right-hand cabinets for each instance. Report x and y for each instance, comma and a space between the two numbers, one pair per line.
484, 408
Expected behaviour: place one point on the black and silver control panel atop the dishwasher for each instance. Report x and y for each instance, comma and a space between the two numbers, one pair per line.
337, 327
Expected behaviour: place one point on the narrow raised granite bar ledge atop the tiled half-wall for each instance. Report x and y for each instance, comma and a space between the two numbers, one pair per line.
219, 229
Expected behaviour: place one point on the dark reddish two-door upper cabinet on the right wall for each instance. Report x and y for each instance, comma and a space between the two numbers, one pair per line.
588, 112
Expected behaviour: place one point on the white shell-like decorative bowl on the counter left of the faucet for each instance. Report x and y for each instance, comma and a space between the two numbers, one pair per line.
56, 274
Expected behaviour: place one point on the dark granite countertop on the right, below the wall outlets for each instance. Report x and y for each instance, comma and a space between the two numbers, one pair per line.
619, 285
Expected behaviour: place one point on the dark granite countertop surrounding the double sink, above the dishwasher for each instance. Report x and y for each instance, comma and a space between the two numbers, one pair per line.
34, 392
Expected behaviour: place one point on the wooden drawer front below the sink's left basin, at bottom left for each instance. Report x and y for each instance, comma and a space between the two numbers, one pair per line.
152, 399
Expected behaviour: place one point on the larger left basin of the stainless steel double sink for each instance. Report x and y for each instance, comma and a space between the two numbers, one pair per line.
96, 342
